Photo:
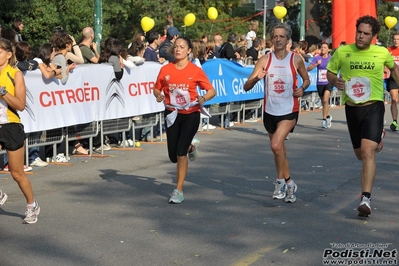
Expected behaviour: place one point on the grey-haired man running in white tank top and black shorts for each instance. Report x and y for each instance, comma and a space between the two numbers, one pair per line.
279, 70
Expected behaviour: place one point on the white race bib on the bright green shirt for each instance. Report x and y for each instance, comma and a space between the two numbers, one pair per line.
358, 89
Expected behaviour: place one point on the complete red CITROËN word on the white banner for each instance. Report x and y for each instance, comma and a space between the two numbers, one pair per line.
61, 97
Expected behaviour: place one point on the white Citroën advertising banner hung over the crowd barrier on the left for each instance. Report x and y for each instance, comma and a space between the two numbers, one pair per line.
91, 94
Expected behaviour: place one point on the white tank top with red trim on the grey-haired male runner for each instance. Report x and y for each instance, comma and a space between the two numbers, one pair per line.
280, 83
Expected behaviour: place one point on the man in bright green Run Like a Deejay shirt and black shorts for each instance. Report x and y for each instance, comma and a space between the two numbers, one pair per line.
357, 70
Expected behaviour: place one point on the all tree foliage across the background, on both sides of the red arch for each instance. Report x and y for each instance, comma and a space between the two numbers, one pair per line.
121, 18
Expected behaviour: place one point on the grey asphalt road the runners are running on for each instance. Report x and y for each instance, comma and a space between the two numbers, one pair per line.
114, 210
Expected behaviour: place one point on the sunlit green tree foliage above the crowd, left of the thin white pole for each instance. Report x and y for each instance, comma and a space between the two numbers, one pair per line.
121, 18
